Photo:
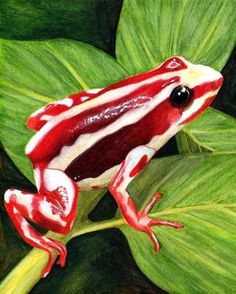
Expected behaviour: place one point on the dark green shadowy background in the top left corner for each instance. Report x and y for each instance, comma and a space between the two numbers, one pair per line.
90, 21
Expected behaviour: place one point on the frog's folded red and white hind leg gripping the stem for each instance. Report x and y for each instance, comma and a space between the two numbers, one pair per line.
53, 207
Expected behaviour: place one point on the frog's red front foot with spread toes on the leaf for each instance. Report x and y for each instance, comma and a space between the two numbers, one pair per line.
145, 223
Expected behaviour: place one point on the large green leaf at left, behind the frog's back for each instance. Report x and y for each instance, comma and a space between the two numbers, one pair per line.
34, 73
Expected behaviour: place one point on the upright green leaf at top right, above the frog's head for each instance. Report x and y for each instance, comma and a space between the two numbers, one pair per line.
151, 31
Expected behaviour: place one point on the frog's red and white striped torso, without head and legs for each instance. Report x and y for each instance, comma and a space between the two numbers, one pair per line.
94, 137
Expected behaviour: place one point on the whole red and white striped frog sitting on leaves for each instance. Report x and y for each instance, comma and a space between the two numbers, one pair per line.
104, 137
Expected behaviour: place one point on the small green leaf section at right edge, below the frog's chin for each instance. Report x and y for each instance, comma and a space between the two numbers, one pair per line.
214, 131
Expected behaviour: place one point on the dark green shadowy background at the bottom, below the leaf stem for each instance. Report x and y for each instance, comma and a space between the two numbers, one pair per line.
96, 265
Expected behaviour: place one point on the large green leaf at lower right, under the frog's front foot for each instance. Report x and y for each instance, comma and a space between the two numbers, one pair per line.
200, 258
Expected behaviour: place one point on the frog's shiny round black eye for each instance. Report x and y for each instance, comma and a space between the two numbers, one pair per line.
181, 96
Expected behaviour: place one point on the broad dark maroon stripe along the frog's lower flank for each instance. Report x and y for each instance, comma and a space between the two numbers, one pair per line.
102, 156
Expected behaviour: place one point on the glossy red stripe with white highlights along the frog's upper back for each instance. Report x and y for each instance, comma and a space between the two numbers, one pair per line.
92, 120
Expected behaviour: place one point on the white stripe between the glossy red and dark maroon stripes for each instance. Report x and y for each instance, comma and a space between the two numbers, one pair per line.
85, 141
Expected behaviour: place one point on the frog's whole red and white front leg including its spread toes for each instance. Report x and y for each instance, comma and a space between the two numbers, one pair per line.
140, 221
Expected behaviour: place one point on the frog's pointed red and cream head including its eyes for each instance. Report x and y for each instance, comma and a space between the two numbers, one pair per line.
193, 89
